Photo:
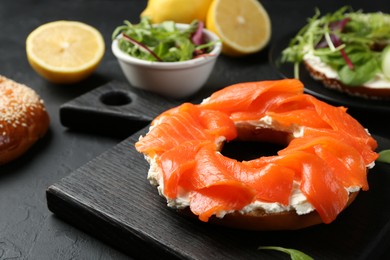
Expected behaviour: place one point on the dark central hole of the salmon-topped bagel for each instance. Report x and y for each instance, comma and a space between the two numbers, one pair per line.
249, 150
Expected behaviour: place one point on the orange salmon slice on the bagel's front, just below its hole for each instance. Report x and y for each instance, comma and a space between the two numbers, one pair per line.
216, 178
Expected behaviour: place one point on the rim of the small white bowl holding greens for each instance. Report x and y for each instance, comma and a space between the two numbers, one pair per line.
170, 65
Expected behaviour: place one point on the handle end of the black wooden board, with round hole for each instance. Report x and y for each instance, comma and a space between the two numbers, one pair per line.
114, 108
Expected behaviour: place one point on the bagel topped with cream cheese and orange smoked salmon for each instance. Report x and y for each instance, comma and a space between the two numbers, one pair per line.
311, 181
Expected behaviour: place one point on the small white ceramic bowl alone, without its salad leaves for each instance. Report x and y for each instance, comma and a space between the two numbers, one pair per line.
172, 79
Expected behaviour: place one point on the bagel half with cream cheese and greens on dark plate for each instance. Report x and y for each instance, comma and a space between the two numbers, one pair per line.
346, 50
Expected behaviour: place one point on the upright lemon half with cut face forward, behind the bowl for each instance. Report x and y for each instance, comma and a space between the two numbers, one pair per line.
243, 26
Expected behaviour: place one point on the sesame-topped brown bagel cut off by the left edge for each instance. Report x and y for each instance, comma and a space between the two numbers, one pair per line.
23, 119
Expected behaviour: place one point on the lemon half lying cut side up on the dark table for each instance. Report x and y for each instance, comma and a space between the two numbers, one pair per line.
65, 52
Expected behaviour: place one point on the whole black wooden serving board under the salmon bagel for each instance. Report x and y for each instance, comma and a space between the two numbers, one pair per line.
110, 198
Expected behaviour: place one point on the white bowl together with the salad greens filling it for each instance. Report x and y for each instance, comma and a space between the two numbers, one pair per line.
172, 59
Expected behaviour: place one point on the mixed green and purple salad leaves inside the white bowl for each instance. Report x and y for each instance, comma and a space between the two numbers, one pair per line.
162, 42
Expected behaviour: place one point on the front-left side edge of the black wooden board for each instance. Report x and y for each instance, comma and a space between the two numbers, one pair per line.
67, 208
